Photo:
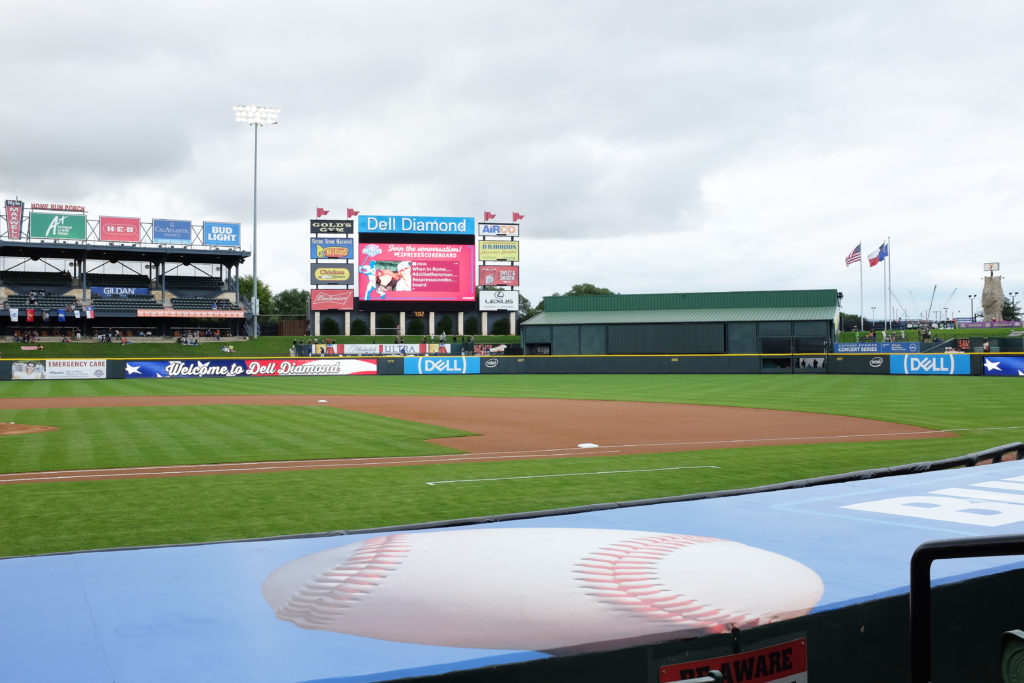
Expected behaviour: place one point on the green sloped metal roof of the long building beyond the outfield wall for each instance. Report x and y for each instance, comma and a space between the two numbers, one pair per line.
701, 308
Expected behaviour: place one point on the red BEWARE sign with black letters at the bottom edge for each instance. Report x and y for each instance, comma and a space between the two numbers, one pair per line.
782, 664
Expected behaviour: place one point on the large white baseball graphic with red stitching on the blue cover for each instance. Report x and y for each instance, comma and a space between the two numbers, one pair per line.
539, 589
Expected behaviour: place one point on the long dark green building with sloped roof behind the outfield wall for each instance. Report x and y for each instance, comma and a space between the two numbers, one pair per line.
777, 323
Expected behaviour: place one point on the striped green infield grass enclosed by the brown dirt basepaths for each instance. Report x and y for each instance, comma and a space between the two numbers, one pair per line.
93, 438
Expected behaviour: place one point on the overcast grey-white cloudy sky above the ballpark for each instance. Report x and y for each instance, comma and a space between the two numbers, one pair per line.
653, 146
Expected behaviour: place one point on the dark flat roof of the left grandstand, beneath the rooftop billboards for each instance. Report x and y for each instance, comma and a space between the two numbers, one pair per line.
115, 253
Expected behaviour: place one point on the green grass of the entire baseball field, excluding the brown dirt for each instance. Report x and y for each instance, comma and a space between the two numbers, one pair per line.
50, 518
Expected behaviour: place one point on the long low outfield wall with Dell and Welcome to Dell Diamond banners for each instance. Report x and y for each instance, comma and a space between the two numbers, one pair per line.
840, 364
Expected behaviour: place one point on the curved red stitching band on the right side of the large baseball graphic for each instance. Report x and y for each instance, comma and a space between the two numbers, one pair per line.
624, 576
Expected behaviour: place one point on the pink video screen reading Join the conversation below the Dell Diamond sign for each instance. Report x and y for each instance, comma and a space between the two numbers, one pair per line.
417, 273
